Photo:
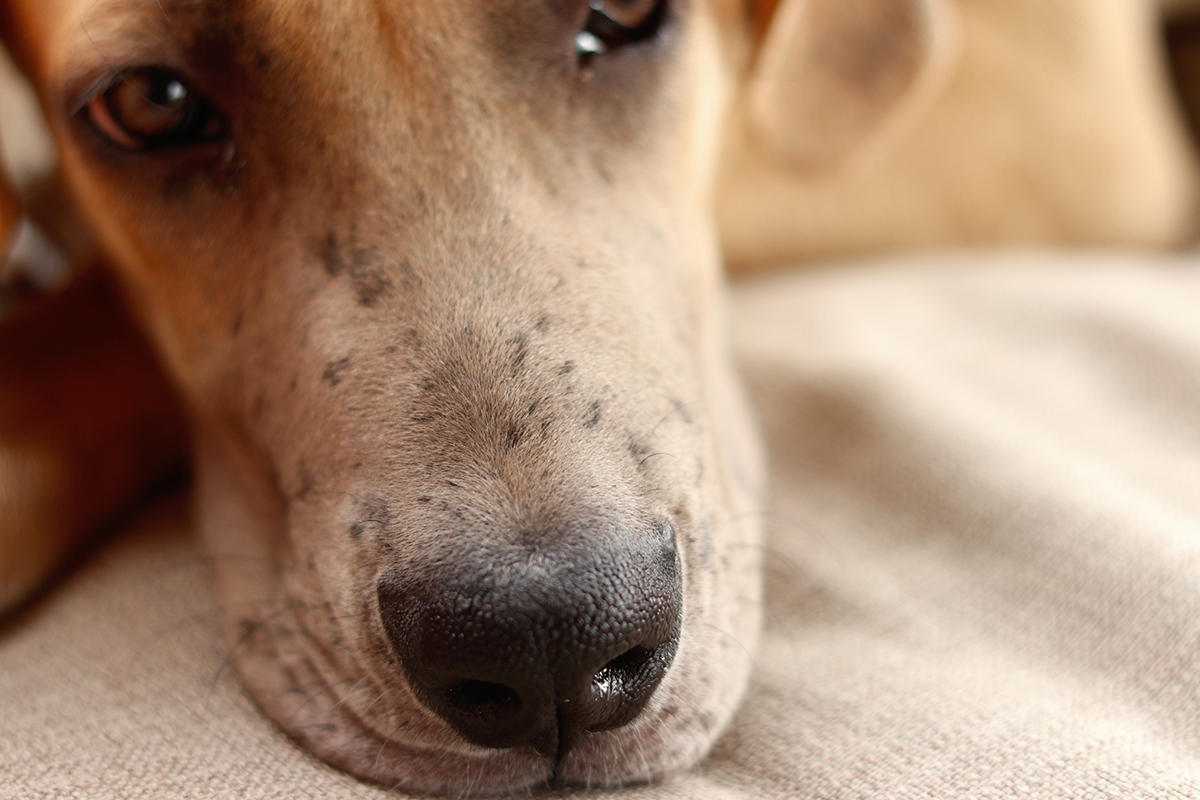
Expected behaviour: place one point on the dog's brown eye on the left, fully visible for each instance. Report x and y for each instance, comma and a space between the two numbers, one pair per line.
149, 109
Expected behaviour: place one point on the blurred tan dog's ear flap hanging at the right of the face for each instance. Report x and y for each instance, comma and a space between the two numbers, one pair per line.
839, 82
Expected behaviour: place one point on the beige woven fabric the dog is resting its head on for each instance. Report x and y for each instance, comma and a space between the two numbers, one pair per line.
985, 568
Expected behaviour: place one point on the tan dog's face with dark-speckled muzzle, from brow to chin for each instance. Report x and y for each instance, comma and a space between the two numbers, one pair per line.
437, 282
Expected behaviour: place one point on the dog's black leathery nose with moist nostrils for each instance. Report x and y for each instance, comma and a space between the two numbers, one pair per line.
538, 646
